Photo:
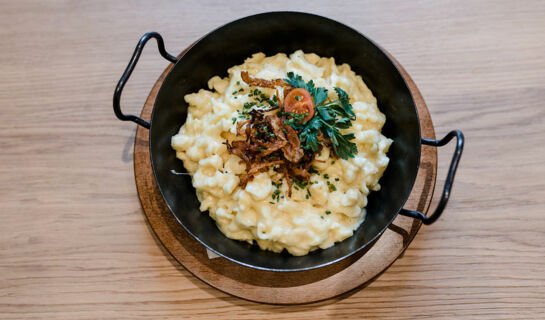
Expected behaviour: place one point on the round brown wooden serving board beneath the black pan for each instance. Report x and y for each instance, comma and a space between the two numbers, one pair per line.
284, 287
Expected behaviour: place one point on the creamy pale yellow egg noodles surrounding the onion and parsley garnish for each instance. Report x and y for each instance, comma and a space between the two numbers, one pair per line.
326, 209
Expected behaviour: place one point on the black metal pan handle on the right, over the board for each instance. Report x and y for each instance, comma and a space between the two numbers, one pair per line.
450, 177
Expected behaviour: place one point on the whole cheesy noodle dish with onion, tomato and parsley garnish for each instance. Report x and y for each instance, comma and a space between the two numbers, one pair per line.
284, 151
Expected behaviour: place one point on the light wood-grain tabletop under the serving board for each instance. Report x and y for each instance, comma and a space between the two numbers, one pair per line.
74, 243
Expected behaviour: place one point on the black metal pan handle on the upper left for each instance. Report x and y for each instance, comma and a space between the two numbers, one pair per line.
130, 67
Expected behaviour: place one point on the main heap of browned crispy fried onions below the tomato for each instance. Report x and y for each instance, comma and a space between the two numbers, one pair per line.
270, 142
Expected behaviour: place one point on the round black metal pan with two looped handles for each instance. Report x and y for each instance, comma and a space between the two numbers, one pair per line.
286, 32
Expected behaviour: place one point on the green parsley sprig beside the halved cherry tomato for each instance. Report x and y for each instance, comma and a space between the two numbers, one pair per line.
330, 116
